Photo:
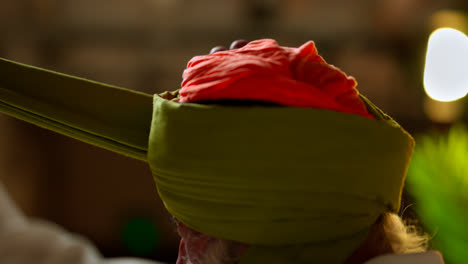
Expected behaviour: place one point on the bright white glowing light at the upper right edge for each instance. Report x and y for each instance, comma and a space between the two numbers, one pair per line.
446, 69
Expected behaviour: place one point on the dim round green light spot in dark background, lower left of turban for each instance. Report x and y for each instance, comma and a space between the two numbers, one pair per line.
141, 236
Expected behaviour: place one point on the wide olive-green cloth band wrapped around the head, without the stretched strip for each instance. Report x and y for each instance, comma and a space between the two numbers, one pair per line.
271, 176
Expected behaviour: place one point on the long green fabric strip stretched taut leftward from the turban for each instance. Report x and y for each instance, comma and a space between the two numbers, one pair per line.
112, 118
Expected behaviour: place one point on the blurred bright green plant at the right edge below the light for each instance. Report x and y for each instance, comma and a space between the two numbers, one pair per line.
438, 180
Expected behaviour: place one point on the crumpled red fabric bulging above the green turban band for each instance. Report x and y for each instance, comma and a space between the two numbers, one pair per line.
264, 71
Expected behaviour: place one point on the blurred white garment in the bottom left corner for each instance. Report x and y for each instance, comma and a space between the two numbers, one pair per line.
25, 241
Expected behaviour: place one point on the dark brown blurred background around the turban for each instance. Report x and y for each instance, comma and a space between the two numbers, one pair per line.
144, 45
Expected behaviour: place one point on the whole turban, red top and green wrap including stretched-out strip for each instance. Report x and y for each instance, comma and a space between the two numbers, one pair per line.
299, 184
